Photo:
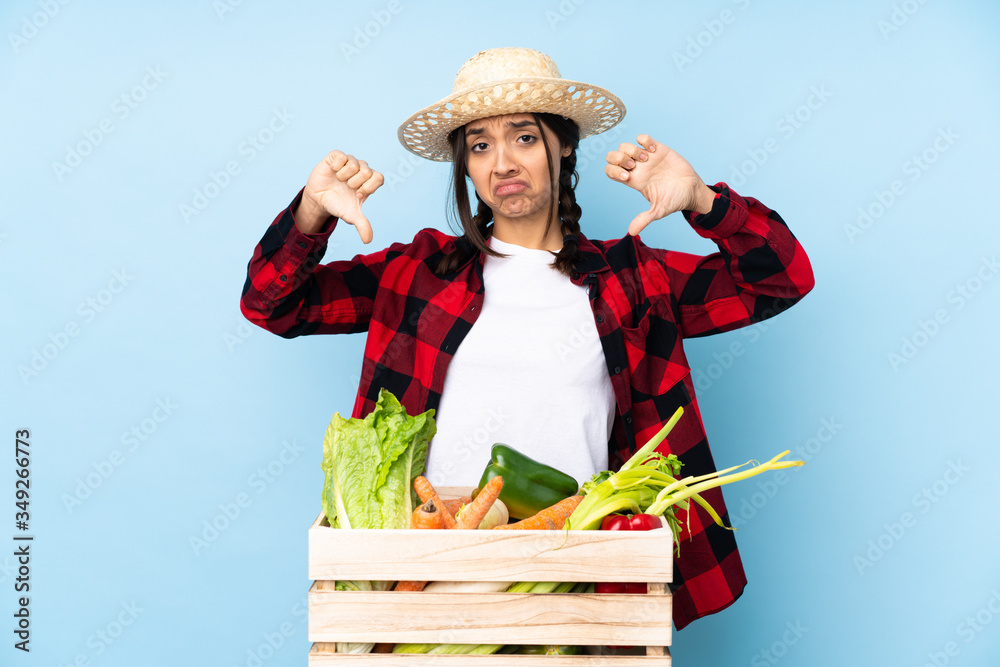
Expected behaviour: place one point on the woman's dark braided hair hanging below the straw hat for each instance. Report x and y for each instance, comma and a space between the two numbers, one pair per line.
474, 227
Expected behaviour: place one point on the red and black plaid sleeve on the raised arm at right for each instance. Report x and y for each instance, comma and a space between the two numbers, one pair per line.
759, 271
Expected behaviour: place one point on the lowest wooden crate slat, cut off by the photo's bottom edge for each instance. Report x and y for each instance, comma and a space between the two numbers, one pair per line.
322, 655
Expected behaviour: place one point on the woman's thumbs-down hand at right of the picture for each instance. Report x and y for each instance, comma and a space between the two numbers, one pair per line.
663, 177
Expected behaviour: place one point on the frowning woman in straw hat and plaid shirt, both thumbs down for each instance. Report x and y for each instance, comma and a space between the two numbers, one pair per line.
522, 330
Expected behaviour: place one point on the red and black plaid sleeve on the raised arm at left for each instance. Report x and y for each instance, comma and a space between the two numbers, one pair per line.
289, 293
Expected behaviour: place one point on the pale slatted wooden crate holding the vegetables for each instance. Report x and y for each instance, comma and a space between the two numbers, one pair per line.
593, 620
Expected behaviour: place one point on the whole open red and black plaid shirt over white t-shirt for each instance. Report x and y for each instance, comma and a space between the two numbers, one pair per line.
645, 301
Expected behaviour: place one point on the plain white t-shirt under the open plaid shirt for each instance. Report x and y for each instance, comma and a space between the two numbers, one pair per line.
530, 373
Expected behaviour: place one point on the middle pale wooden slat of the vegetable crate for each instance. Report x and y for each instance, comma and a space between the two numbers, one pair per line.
490, 618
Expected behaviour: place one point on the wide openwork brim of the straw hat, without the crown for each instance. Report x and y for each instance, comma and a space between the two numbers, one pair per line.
593, 108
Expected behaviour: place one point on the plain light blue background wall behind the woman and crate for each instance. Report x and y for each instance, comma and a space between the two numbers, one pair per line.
873, 553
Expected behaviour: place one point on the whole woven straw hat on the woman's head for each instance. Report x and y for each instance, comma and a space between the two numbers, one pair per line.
503, 81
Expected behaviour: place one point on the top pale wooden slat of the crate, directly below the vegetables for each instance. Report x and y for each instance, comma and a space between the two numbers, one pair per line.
465, 555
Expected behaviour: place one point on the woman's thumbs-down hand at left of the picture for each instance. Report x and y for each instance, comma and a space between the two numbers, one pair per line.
338, 186
